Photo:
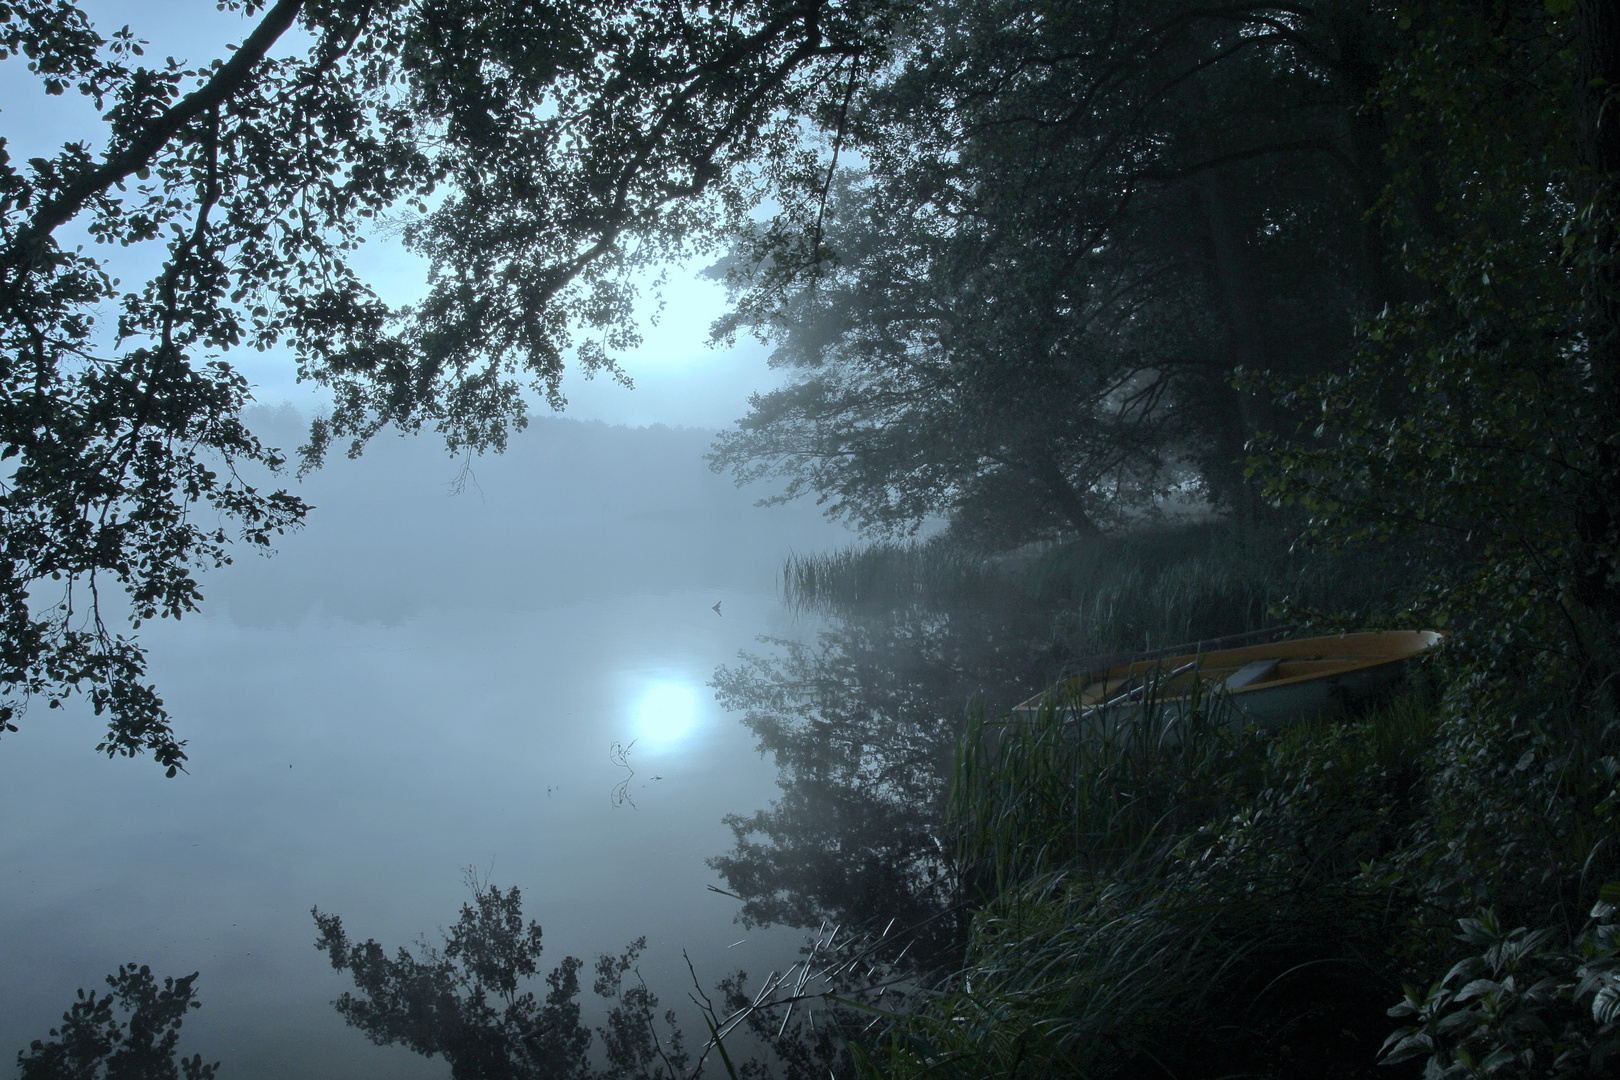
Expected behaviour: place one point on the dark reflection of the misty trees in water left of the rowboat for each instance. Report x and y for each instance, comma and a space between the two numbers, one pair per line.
863, 726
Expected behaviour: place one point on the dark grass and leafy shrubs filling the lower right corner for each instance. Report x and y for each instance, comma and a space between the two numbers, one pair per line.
1204, 901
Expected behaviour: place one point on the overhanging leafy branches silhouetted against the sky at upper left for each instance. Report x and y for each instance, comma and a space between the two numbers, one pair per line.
534, 153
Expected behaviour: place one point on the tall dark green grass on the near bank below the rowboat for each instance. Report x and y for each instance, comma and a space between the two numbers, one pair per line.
1174, 895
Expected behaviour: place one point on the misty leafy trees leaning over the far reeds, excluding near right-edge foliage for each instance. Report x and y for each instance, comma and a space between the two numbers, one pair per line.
1070, 226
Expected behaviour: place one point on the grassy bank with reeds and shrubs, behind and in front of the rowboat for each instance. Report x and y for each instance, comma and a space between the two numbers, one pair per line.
1242, 903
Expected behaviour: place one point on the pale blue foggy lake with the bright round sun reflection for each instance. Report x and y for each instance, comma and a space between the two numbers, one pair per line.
416, 684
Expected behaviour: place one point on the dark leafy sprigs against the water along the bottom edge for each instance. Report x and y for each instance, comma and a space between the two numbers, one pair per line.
474, 1003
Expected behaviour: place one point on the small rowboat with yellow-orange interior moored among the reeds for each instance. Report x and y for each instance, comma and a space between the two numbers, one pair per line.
1266, 684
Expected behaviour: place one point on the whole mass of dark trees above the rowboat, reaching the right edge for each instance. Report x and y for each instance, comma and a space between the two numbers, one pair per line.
1347, 258
